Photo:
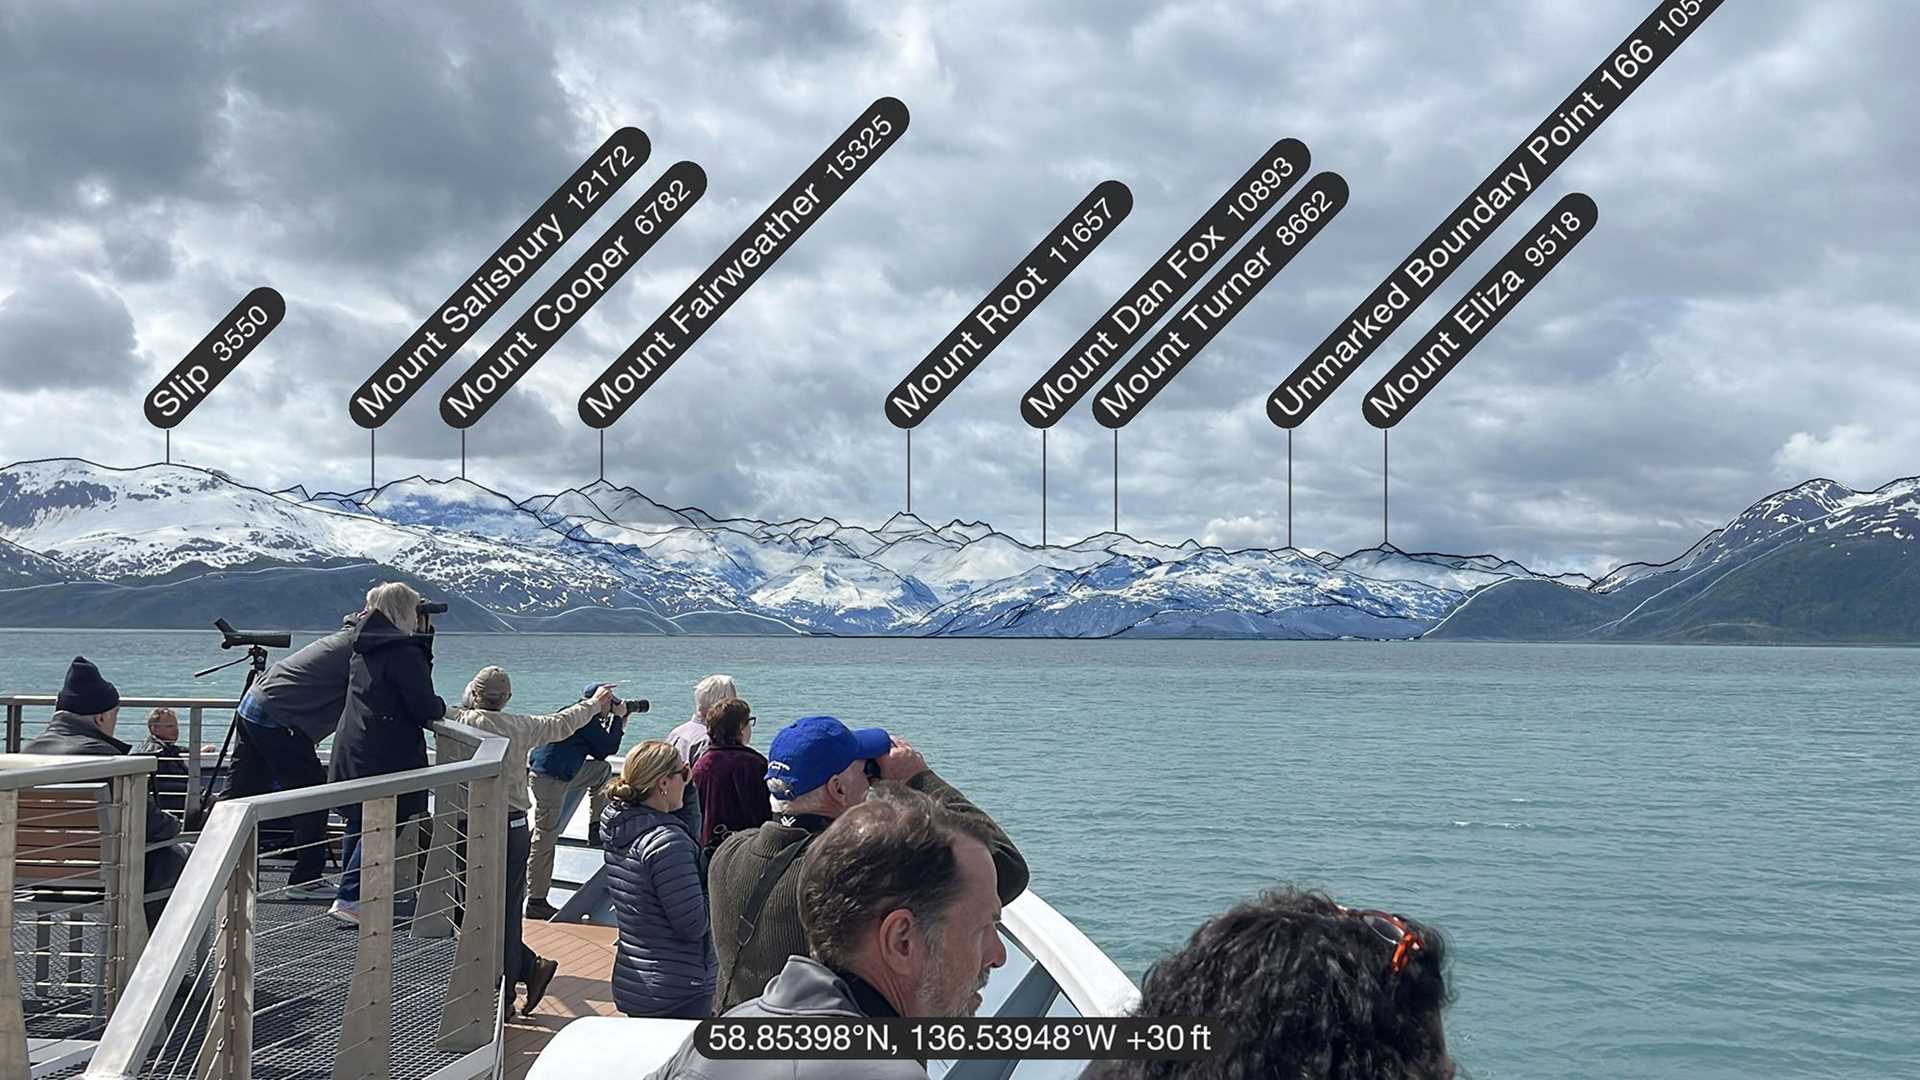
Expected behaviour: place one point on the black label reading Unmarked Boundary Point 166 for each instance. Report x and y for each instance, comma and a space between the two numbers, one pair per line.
1485, 209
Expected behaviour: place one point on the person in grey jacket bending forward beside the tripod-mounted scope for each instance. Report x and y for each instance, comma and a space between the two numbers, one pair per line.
281, 724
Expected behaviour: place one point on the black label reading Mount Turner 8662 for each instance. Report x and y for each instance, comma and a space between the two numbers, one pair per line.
1224, 297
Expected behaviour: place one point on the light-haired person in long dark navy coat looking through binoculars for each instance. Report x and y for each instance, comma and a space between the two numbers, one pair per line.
391, 704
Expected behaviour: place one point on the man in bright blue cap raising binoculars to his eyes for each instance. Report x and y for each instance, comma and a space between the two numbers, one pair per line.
817, 772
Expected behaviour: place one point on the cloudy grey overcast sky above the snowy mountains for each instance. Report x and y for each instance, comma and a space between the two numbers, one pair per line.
1740, 320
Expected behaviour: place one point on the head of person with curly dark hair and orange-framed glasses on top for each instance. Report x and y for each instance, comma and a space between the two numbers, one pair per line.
1303, 989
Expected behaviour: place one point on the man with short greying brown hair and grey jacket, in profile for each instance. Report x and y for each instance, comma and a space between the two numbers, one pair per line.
901, 902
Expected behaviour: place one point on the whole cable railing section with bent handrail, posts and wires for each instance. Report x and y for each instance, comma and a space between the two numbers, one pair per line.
239, 979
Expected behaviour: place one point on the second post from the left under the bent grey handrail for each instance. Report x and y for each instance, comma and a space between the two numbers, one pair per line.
368, 1025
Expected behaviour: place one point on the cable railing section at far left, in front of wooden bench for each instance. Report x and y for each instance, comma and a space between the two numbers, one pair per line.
72, 927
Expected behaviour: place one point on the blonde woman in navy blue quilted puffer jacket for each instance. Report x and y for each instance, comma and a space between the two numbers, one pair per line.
665, 964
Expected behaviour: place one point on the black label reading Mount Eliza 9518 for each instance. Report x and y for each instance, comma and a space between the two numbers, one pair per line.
1499, 293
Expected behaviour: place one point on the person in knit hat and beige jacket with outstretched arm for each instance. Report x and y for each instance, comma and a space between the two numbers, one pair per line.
483, 706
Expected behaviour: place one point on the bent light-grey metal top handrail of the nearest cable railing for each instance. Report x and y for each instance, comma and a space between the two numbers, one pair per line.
218, 854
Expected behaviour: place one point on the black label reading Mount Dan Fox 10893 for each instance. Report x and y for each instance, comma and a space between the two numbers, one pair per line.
1164, 283
